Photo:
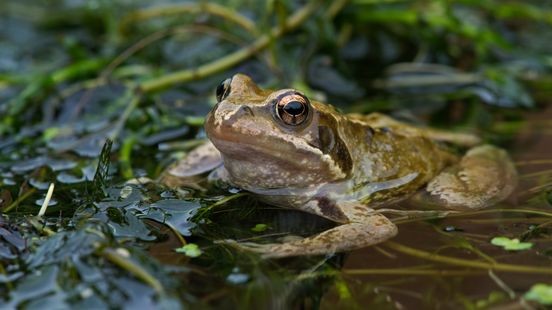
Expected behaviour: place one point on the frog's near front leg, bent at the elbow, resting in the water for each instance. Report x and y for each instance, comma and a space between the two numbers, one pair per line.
360, 227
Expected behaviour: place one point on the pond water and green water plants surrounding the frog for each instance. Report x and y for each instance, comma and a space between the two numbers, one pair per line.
96, 93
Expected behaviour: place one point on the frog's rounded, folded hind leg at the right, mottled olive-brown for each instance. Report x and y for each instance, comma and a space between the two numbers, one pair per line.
484, 176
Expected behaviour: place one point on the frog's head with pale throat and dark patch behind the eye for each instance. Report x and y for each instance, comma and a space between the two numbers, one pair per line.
276, 139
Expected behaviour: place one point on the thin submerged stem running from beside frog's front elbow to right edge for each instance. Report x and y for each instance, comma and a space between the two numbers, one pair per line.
465, 262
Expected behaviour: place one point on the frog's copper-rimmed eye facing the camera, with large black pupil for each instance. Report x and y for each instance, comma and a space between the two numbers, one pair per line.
292, 108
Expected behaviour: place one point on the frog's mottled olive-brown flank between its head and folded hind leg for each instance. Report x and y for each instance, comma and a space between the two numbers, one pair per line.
389, 160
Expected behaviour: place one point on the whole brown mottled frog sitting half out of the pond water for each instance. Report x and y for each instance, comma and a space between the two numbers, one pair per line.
294, 152
